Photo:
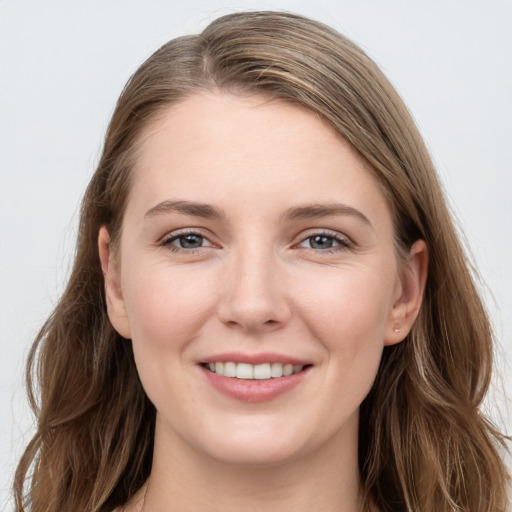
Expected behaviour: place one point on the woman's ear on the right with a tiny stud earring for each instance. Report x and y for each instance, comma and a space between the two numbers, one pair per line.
409, 296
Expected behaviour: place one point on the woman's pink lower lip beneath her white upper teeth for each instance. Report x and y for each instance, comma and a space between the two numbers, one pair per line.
254, 390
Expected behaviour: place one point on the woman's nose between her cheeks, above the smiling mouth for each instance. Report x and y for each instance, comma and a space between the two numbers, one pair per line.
253, 294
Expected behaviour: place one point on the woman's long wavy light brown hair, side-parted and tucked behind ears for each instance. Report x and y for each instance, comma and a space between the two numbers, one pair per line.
424, 443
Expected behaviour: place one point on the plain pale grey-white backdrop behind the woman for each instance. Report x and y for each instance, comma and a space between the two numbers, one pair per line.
63, 64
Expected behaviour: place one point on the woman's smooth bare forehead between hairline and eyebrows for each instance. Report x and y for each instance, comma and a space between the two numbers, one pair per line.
250, 151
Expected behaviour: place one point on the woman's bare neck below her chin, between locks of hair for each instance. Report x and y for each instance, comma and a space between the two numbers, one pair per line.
184, 480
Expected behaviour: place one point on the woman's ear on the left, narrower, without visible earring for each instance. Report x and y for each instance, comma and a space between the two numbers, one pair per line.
116, 307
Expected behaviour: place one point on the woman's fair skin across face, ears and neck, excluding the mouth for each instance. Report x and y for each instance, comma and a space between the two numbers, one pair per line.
258, 283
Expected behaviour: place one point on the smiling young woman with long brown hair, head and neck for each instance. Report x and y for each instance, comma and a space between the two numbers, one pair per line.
269, 304
